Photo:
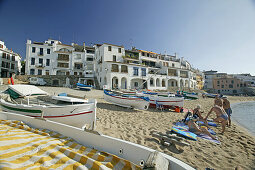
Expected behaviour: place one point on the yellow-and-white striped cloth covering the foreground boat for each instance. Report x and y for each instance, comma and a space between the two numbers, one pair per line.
22, 147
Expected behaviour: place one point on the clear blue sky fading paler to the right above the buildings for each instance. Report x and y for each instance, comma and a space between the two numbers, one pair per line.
211, 34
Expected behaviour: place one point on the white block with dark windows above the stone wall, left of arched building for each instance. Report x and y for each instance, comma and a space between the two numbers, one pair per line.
54, 58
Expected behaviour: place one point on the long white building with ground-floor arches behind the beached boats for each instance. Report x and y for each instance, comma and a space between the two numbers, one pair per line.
132, 69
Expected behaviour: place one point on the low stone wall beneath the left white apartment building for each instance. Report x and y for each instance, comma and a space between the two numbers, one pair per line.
51, 80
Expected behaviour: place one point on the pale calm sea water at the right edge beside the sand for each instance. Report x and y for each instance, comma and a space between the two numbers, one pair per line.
244, 115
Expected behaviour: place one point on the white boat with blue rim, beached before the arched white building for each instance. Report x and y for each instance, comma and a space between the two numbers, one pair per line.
130, 101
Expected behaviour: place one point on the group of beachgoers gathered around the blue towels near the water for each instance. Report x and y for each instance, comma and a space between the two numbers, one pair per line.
223, 113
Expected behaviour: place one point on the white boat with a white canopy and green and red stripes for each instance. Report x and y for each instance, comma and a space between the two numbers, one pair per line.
31, 101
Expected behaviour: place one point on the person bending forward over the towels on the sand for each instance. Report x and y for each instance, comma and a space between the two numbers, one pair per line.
222, 116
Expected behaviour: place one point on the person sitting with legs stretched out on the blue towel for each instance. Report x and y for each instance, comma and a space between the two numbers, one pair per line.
194, 128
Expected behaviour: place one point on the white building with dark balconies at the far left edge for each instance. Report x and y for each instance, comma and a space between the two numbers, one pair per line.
10, 61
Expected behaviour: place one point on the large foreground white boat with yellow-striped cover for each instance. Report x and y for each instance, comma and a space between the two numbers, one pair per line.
62, 147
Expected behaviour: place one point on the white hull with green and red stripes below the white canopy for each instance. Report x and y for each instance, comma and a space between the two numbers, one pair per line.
77, 115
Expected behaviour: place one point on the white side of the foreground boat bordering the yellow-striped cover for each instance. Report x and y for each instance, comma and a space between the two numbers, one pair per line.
123, 149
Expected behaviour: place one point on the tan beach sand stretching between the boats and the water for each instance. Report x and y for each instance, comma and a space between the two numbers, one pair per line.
237, 145
